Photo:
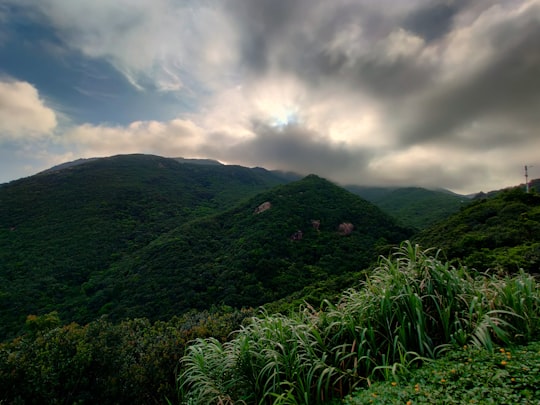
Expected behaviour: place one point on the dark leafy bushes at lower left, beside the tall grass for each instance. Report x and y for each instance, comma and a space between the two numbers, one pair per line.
131, 362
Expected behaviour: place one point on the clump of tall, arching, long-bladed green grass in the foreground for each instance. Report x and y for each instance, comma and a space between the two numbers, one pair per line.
412, 307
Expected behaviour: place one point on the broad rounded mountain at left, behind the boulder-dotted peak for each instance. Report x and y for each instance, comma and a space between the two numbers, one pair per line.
61, 226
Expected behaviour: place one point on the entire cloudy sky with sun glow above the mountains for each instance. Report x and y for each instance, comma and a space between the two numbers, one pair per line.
429, 93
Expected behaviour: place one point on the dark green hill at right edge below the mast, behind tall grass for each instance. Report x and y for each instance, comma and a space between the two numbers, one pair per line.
497, 231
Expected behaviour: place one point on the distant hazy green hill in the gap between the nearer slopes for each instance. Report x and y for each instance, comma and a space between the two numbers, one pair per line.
413, 206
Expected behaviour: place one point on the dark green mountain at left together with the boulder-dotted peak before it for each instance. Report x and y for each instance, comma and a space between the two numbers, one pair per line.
141, 235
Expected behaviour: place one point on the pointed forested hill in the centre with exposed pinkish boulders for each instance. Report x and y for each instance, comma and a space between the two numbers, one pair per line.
272, 245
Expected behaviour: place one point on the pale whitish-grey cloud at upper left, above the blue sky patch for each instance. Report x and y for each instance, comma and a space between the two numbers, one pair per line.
163, 44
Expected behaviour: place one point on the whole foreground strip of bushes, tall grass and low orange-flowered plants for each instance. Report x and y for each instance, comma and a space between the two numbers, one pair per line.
376, 342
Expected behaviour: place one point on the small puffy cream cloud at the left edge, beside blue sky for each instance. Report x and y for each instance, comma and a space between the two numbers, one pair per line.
22, 112
